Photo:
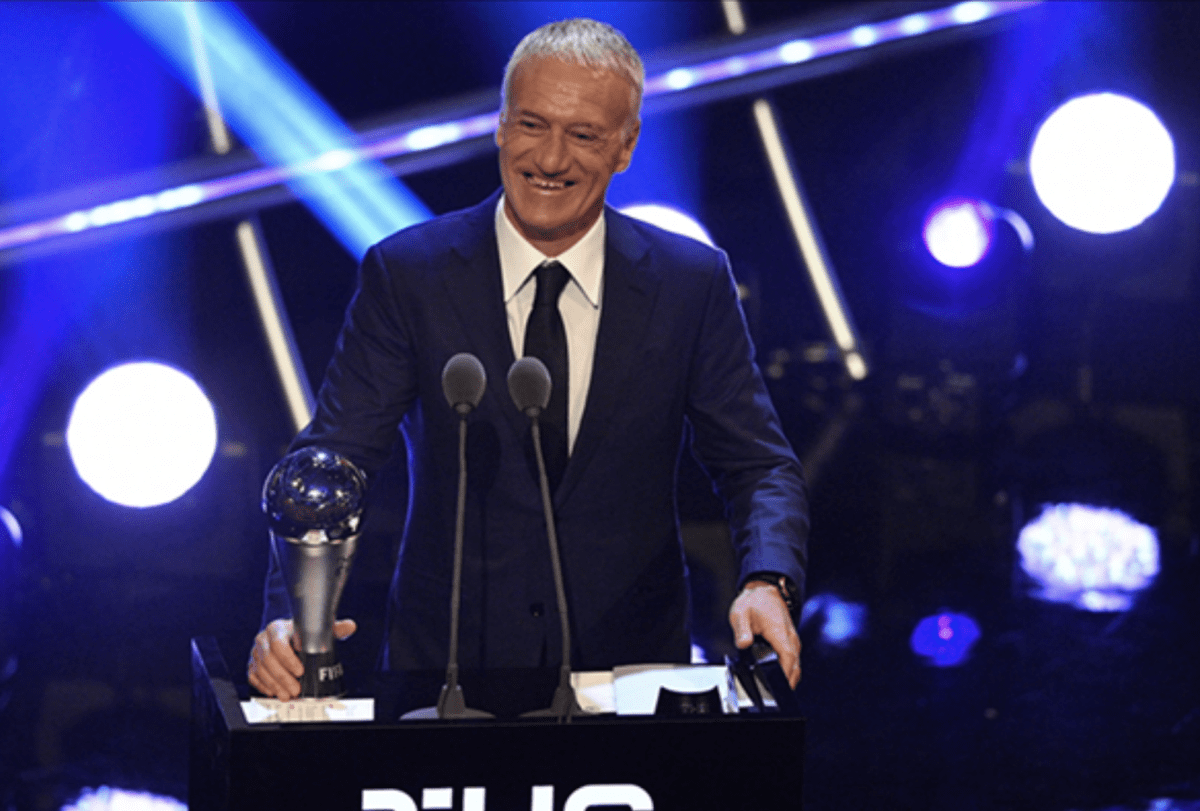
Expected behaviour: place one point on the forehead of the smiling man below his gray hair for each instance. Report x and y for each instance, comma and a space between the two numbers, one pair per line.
554, 88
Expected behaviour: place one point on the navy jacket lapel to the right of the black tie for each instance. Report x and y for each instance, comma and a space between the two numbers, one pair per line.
631, 287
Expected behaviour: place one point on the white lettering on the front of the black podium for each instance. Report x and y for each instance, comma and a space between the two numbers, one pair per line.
542, 798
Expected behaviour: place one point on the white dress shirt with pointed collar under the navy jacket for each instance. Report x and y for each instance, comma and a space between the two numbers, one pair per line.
579, 304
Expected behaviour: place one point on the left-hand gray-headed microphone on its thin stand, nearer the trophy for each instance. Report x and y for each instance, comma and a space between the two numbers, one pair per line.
464, 382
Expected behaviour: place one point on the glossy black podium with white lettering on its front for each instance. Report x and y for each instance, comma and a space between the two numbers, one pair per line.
722, 762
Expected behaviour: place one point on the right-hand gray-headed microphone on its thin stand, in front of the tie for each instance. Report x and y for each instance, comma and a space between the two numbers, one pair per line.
530, 387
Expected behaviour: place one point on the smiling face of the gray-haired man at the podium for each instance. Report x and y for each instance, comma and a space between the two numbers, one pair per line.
566, 133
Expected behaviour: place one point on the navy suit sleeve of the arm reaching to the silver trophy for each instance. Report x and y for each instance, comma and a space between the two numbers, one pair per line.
370, 385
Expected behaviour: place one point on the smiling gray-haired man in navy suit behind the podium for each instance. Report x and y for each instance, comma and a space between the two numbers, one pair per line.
657, 349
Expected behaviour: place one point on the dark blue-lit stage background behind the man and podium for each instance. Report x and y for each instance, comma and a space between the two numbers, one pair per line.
1066, 375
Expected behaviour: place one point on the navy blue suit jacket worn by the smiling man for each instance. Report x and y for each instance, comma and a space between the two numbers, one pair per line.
673, 352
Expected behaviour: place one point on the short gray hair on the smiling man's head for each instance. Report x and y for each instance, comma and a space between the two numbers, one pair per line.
585, 43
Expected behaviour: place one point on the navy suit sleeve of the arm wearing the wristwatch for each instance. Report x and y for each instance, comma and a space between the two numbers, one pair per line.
739, 440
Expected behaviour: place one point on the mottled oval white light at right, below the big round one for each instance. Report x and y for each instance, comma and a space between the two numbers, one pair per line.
1093, 558
